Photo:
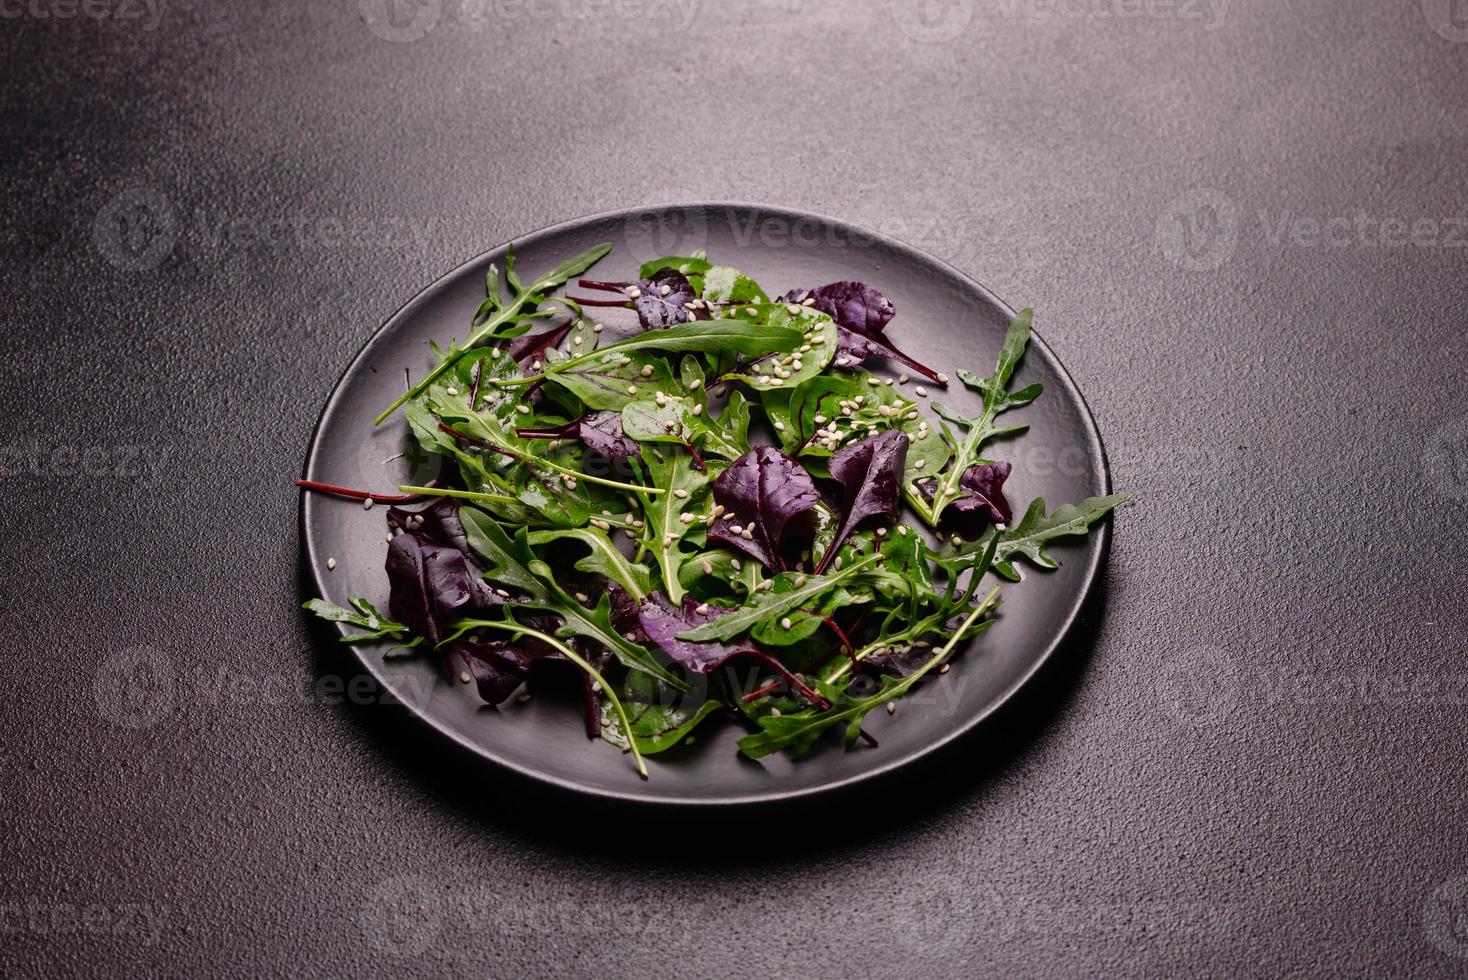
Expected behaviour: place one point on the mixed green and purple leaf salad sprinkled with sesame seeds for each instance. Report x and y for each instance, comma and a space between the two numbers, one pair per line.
614, 510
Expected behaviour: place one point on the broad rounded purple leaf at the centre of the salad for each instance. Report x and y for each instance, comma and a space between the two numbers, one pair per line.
761, 492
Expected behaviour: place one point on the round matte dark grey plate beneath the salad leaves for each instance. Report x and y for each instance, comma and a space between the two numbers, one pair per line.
945, 319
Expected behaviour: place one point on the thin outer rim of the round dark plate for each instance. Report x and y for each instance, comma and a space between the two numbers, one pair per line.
882, 771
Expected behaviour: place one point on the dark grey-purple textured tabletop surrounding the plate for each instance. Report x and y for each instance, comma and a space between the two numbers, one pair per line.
1253, 768
